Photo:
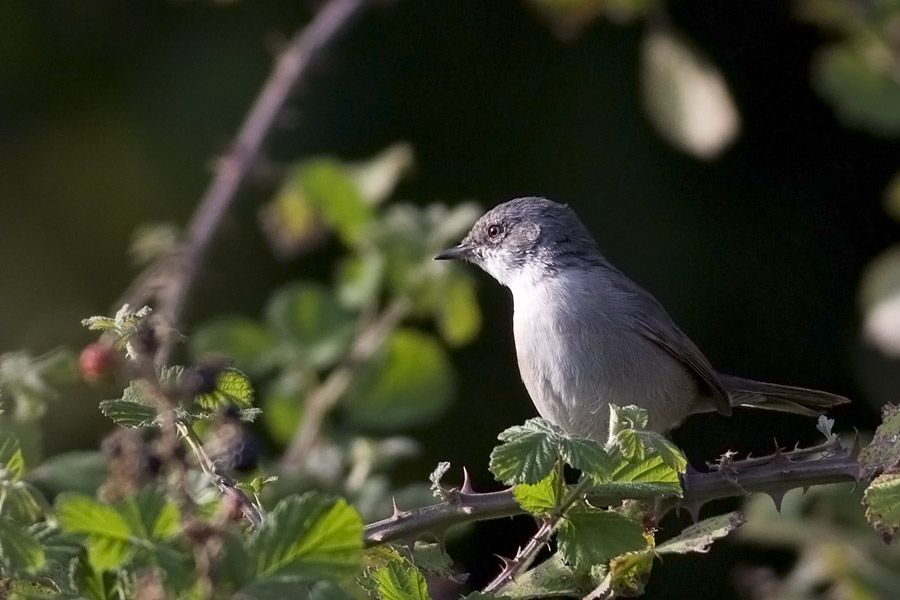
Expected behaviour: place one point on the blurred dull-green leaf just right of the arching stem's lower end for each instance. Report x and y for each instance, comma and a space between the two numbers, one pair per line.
245, 341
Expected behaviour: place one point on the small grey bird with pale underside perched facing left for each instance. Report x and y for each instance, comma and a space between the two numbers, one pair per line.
588, 336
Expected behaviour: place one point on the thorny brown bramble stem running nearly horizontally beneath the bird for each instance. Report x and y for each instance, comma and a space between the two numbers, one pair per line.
774, 477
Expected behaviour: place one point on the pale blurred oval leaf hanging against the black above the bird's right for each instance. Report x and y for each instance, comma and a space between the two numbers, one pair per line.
686, 97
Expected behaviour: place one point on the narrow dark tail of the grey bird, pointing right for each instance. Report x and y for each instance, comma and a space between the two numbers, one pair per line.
783, 398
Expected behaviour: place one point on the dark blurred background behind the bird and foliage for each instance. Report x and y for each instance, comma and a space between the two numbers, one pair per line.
111, 114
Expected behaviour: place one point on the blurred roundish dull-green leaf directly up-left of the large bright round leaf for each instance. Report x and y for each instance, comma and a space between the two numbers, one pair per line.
313, 321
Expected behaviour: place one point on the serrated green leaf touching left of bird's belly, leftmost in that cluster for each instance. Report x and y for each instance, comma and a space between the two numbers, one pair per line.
528, 452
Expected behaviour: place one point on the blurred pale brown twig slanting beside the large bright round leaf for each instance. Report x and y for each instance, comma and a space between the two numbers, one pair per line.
324, 398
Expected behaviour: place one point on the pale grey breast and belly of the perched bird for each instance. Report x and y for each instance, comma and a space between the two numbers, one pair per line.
577, 353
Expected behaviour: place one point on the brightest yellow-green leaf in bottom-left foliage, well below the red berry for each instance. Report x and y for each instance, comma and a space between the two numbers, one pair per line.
108, 534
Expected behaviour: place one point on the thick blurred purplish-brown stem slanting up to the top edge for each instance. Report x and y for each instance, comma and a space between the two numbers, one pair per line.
170, 280
